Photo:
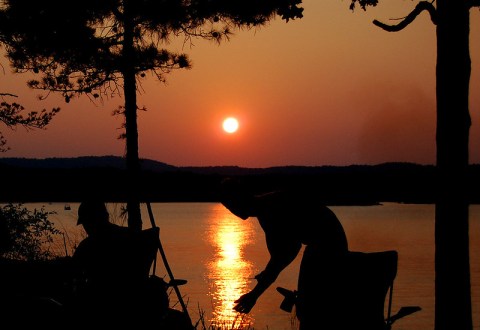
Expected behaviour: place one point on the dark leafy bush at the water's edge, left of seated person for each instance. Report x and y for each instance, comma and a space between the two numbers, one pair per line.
26, 235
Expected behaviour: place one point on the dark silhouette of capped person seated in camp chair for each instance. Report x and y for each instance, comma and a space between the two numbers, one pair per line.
112, 265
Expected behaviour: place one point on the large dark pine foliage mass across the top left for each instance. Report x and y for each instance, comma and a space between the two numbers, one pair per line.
82, 51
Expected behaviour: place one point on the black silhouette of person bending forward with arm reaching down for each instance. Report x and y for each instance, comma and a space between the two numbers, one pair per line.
290, 220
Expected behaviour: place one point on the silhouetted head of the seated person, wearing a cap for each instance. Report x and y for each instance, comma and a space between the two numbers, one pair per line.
92, 214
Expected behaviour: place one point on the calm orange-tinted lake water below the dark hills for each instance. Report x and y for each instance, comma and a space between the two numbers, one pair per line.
220, 254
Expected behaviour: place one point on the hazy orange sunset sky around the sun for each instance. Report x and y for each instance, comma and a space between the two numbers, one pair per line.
328, 89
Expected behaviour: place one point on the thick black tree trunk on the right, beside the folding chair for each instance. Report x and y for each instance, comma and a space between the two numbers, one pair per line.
453, 309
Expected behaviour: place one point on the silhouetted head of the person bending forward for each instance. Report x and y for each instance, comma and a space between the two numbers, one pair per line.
236, 198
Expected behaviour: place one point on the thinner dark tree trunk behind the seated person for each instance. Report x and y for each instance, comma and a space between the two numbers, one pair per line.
131, 128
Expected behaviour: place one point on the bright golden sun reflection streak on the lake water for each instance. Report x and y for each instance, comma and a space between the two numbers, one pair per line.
229, 273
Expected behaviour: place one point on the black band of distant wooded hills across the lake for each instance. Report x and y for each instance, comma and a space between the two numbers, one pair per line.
72, 179
